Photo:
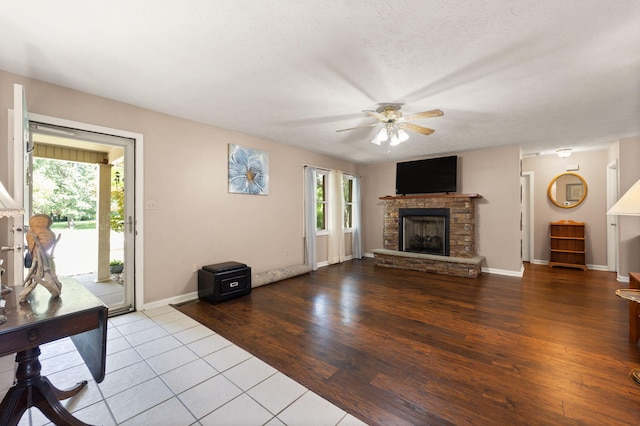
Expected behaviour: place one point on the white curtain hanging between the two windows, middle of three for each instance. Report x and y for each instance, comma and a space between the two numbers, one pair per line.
335, 218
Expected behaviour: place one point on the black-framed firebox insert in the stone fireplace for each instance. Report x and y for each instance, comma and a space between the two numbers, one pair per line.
424, 230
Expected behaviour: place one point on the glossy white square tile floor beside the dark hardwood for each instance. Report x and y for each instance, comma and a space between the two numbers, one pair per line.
163, 368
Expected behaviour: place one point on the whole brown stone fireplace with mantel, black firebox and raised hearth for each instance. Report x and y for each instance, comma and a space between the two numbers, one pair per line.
431, 233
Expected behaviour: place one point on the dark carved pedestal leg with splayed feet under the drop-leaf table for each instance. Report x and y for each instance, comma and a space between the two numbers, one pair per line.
33, 390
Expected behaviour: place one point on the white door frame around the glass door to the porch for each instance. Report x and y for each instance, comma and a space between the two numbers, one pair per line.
138, 233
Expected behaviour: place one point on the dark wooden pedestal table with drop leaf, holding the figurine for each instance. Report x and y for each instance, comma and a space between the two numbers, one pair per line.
76, 313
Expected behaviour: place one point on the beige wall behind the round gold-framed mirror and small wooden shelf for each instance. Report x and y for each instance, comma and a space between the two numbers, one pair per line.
593, 168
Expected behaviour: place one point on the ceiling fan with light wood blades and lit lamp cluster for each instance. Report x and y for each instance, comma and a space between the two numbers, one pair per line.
395, 124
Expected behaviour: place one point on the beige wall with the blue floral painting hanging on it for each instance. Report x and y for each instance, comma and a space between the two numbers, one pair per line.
185, 165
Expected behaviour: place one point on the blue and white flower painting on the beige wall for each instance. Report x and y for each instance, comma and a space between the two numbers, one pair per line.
248, 170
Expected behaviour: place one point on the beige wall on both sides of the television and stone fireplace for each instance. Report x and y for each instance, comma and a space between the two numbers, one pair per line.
492, 173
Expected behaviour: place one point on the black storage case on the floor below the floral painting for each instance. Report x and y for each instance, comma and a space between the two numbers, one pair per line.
224, 281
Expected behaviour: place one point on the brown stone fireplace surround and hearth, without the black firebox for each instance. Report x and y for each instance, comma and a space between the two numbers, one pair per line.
461, 261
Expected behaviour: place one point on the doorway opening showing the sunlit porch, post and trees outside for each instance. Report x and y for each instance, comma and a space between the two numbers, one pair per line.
80, 178
